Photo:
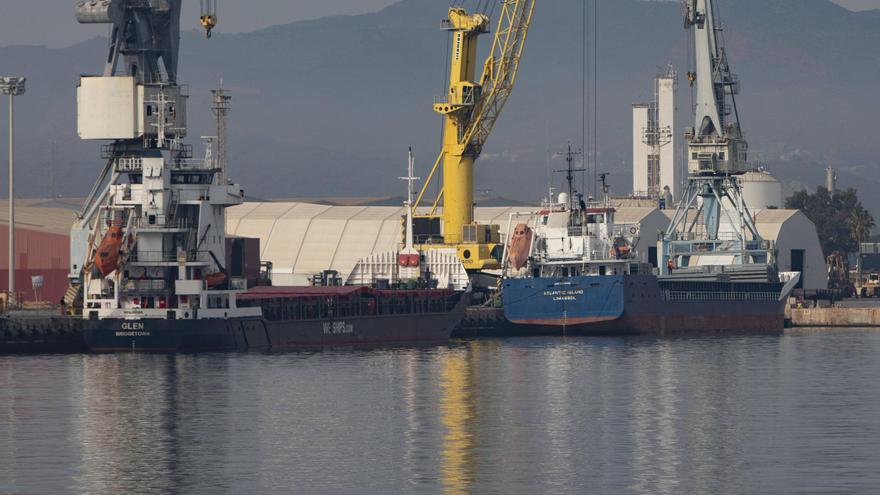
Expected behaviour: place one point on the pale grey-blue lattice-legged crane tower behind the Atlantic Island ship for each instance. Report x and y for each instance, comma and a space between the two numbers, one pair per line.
712, 224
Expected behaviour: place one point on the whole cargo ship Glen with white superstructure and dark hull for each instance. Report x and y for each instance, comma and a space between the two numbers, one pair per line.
156, 283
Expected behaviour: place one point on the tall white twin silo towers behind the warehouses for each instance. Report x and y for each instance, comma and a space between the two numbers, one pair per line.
654, 167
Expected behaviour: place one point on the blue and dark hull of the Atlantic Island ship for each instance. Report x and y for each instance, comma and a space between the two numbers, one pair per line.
636, 305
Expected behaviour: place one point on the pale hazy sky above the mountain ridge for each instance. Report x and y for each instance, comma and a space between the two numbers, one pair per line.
51, 22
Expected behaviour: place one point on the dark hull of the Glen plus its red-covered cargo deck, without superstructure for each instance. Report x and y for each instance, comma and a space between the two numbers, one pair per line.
293, 318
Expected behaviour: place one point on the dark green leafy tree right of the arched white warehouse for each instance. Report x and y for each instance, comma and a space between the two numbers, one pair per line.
832, 215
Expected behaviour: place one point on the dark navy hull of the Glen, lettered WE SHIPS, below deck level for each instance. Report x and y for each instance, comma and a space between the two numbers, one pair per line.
259, 334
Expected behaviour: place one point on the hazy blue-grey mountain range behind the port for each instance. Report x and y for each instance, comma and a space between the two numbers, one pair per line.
329, 107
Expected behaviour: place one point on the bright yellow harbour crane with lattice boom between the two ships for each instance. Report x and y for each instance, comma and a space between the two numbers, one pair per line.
470, 110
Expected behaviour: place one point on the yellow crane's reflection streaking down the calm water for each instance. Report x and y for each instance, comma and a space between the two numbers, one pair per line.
457, 409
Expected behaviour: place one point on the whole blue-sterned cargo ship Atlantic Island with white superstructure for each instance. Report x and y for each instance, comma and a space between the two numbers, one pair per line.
572, 271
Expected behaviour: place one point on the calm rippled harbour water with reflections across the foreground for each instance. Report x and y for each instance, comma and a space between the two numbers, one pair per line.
795, 413
